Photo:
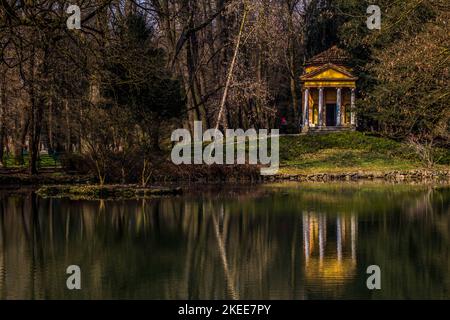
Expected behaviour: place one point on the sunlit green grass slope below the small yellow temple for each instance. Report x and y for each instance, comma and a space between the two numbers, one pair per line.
344, 152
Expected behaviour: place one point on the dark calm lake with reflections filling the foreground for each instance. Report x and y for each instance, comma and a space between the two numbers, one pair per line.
280, 241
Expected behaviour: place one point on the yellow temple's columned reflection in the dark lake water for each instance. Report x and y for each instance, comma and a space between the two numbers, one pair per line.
329, 245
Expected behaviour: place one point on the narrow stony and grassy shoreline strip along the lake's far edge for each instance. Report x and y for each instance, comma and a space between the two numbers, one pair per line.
85, 188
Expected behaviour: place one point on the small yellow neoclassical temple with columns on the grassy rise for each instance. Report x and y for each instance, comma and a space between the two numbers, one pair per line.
328, 93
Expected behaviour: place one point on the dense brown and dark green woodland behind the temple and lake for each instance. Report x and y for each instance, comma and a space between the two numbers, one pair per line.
108, 95
